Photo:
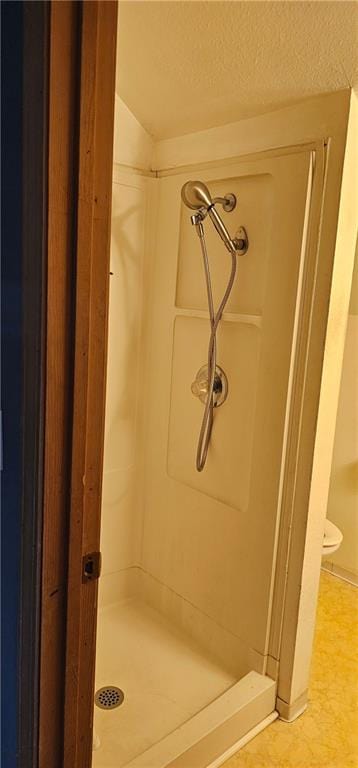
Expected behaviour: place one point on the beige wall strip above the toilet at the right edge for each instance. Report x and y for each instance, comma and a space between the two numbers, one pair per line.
343, 494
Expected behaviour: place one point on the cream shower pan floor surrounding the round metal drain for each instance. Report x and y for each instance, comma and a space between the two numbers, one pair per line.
165, 678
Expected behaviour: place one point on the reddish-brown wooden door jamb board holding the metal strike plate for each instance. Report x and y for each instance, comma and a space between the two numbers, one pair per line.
96, 122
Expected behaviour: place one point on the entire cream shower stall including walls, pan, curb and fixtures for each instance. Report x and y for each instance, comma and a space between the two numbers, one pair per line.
209, 328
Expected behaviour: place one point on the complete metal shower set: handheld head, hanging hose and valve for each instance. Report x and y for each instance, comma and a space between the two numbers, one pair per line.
210, 384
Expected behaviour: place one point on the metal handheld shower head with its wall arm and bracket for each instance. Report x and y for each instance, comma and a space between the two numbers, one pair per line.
196, 196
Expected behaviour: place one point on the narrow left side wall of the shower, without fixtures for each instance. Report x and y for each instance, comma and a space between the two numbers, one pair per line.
121, 525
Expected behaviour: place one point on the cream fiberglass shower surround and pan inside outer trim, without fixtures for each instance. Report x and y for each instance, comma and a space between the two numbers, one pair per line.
187, 580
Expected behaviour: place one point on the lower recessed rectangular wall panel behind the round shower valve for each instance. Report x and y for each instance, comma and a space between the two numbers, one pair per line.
230, 452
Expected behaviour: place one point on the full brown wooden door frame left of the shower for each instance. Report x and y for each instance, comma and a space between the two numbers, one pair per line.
81, 69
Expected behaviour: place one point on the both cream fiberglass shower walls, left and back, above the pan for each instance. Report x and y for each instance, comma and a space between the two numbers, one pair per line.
200, 548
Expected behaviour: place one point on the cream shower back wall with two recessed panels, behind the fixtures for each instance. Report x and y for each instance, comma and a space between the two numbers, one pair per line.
209, 540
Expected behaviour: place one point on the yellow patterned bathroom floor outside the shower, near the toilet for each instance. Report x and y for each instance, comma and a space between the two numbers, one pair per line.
326, 735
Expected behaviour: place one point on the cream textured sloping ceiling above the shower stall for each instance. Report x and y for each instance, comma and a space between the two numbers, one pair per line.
185, 66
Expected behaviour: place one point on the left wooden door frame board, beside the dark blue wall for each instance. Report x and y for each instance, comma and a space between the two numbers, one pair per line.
63, 65
